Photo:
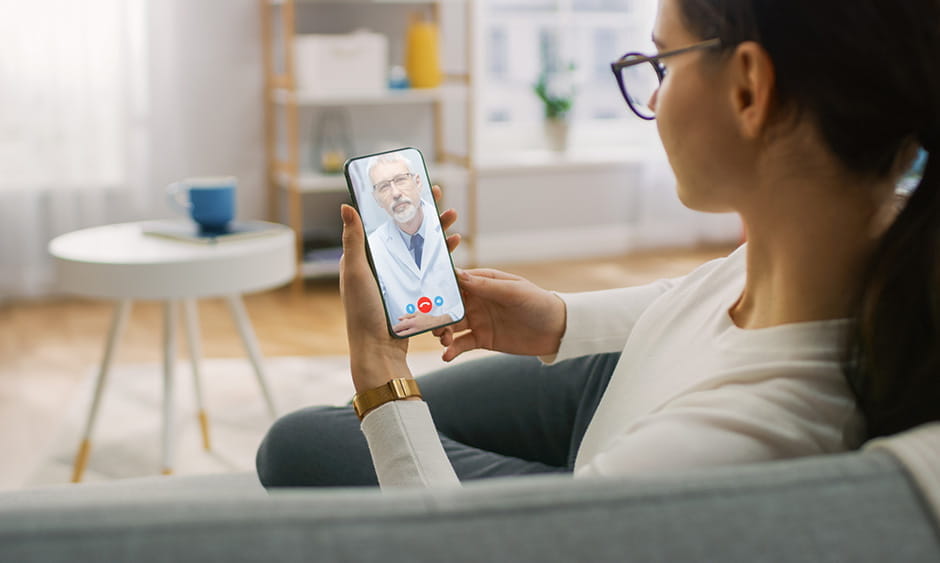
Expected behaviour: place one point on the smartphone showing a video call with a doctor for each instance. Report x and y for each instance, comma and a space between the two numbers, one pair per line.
405, 242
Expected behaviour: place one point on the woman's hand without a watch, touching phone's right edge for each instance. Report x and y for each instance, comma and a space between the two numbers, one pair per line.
505, 313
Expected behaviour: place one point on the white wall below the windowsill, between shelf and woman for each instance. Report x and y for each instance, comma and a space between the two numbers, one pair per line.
590, 212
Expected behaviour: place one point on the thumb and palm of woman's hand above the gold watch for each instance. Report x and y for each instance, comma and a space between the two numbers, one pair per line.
374, 356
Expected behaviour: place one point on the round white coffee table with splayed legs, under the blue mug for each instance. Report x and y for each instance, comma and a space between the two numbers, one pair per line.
122, 263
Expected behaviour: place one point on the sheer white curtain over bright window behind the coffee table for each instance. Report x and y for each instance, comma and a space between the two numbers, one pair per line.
105, 102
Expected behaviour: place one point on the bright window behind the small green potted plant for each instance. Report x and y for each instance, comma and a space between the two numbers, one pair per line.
521, 37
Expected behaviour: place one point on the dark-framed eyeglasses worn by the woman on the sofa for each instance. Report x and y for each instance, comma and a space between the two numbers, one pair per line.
639, 81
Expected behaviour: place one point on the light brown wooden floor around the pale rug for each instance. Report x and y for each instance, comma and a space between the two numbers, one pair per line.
48, 347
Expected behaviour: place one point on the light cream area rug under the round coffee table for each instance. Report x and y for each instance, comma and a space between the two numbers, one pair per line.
127, 438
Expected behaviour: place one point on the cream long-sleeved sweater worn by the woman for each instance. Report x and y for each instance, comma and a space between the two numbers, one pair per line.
690, 390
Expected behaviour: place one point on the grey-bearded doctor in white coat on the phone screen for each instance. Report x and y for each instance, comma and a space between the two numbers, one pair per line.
409, 251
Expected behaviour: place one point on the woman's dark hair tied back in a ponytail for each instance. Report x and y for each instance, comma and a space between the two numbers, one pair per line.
866, 72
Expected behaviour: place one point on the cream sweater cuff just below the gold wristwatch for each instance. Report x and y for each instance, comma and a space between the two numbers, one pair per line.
406, 450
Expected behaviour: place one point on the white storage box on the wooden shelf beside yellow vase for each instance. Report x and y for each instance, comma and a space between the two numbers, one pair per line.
349, 64
